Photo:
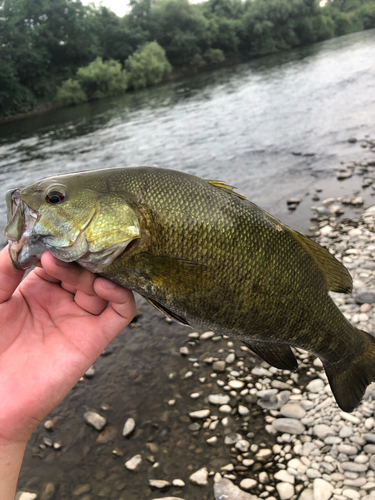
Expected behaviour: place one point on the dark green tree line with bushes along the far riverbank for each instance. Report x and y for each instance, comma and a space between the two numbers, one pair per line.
64, 51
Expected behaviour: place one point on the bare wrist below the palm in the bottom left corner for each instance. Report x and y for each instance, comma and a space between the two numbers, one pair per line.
11, 456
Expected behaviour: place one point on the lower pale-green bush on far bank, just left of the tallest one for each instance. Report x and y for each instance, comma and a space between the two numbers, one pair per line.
102, 79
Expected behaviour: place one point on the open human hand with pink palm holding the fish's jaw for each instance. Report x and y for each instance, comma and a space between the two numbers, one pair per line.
52, 328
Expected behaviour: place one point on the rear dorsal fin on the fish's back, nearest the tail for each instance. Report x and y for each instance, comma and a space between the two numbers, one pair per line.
337, 276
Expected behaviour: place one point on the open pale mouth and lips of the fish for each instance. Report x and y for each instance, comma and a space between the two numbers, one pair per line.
25, 248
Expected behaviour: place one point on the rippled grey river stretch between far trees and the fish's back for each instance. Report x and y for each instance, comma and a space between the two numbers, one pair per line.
239, 124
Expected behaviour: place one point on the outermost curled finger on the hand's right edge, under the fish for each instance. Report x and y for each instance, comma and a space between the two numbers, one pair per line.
121, 310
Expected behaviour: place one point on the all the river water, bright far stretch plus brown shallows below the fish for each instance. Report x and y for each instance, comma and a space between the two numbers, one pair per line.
276, 127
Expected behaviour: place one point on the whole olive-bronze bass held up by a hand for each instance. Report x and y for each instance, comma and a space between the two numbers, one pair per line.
202, 254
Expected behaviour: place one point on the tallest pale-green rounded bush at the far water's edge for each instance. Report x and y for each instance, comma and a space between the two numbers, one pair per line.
147, 66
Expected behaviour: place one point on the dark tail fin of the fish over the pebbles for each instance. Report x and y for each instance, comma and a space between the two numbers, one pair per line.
349, 381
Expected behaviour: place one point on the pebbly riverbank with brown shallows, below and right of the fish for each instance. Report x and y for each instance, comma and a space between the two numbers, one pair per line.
219, 420
